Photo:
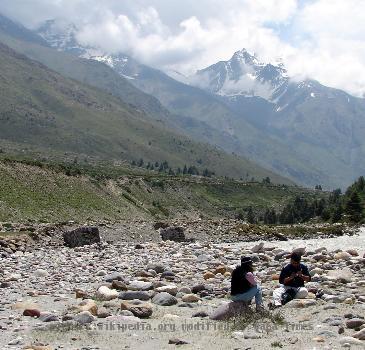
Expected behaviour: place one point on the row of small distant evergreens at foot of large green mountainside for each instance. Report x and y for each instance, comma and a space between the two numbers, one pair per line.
164, 167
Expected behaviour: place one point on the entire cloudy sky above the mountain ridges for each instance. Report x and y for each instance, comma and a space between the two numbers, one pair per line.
320, 39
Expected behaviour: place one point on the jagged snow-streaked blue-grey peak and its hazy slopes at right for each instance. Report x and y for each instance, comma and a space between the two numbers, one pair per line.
325, 127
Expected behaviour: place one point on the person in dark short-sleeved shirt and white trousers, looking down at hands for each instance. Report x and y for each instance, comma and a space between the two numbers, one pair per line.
292, 278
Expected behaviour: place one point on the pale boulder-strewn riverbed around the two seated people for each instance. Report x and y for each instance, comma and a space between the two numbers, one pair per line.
154, 294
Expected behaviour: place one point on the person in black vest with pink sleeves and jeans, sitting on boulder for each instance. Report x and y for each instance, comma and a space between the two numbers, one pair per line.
244, 285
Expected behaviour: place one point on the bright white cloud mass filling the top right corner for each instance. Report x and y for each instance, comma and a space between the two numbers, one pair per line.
331, 36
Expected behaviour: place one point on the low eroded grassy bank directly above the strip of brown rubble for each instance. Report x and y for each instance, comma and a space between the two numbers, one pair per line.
44, 192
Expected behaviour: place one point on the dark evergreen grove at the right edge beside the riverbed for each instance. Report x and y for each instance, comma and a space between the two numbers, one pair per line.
338, 207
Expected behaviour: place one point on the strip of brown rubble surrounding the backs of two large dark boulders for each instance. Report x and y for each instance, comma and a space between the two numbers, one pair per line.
25, 237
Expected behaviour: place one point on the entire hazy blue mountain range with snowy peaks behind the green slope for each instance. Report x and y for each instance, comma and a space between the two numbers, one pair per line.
302, 130
